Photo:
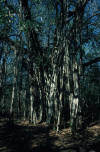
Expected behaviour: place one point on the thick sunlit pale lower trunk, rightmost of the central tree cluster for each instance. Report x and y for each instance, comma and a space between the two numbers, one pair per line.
74, 98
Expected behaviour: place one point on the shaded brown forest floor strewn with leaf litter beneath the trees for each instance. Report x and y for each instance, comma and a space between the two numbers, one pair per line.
22, 137
